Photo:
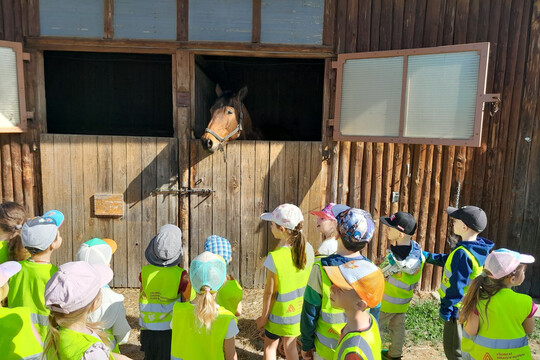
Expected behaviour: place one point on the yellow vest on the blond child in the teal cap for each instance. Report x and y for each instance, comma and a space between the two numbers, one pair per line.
192, 343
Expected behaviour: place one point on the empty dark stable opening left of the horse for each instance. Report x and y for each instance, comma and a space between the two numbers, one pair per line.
108, 93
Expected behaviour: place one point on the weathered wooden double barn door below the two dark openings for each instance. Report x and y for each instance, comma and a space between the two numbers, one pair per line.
255, 177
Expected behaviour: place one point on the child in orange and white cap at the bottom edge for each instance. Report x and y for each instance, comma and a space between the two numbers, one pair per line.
357, 286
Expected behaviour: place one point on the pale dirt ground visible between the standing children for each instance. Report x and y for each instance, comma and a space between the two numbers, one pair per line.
248, 343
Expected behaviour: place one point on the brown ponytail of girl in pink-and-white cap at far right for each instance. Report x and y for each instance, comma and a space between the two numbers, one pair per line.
483, 288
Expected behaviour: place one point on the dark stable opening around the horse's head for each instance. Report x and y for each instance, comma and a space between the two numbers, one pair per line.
284, 99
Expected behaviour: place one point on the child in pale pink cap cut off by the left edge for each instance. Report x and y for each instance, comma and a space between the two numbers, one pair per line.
19, 339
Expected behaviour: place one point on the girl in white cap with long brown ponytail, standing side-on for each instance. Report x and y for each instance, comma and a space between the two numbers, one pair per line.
288, 270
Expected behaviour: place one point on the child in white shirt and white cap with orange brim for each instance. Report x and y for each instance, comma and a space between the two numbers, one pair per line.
112, 313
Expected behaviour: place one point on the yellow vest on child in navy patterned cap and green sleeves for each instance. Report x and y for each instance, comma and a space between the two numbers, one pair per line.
330, 322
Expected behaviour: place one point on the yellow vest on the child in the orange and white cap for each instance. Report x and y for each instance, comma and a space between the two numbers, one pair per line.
366, 343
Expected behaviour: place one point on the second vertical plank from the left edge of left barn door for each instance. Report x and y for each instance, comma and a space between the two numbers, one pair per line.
62, 156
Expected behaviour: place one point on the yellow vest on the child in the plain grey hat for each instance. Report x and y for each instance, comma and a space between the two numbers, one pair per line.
158, 296
